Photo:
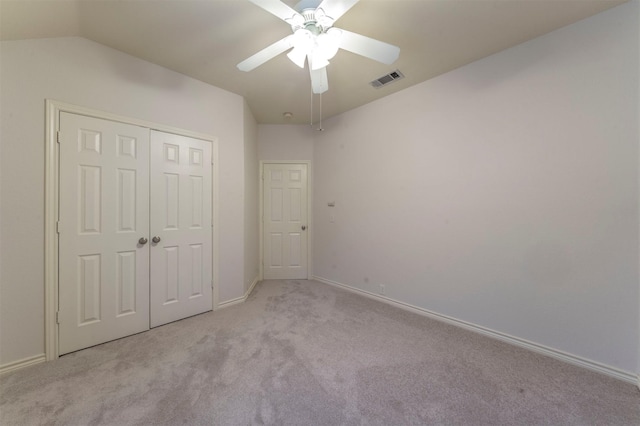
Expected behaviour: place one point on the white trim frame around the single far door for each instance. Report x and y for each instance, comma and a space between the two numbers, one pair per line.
310, 226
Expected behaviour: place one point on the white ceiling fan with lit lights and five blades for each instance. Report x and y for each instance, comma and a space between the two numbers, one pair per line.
315, 40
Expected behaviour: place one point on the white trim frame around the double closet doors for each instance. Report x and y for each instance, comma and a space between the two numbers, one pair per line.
53, 109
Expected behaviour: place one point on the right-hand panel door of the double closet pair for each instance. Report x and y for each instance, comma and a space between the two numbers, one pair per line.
181, 248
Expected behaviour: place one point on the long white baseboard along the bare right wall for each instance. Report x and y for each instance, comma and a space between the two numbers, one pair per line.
535, 347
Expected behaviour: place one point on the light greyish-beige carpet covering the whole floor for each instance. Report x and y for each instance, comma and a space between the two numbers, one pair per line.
303, 353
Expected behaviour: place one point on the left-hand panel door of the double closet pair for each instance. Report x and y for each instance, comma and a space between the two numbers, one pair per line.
104, 211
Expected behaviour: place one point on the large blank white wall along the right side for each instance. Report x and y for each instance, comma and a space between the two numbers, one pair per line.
504, 193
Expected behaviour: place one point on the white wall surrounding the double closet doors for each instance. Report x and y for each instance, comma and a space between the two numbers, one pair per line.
83, 73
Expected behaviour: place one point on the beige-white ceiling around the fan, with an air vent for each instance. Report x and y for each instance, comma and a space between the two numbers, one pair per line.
205, 39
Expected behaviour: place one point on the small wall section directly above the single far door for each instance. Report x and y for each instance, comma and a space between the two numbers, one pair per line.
285, 142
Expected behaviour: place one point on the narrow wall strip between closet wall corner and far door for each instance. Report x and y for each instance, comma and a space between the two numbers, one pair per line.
251, 196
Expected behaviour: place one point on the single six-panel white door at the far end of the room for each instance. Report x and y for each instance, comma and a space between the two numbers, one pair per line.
285, 221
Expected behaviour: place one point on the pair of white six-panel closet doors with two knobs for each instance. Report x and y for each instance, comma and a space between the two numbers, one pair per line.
121, 186
